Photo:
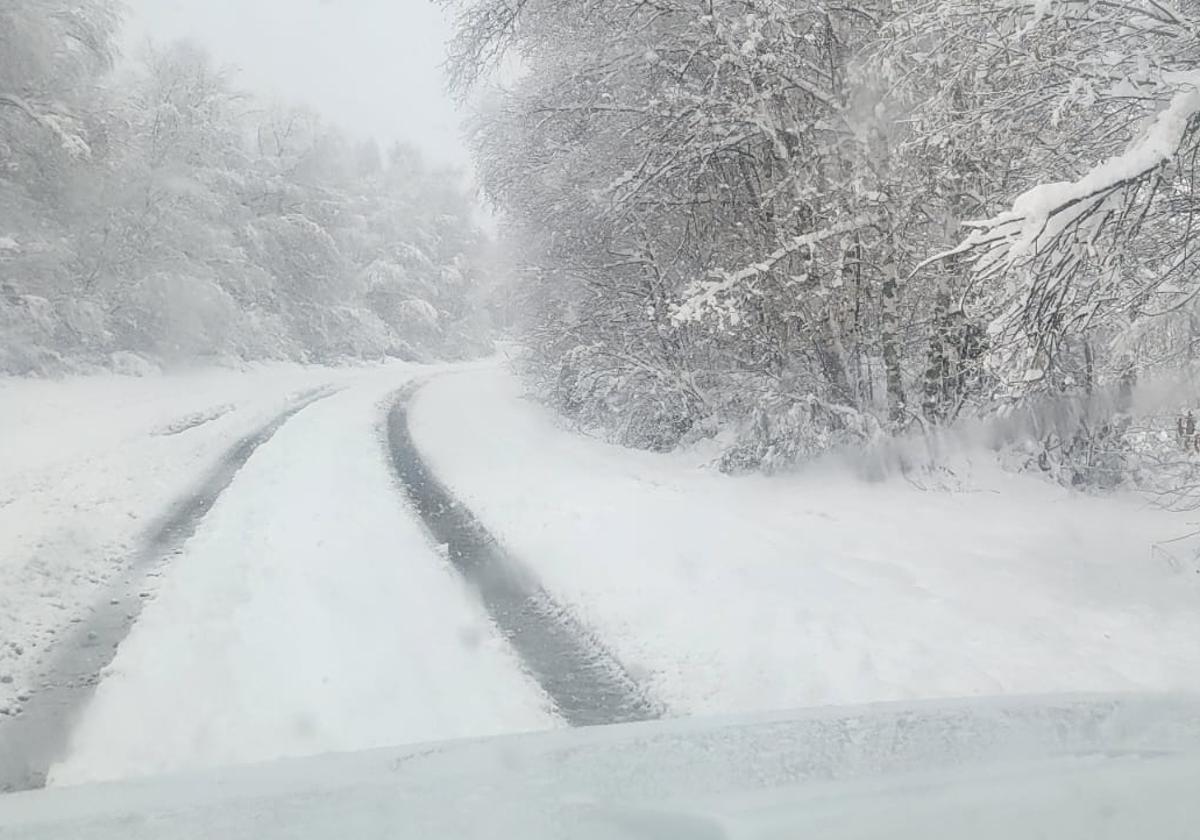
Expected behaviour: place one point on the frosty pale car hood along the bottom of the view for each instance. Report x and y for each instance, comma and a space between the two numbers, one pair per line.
1082, 767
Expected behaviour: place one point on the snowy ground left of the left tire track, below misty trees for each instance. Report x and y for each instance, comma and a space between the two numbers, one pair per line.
87, 464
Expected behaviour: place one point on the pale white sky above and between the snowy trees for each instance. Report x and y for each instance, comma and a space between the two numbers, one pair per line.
370, 67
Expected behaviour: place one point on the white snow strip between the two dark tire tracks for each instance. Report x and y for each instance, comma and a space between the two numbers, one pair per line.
308, 615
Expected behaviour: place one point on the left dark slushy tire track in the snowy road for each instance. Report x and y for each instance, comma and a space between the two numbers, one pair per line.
34, 741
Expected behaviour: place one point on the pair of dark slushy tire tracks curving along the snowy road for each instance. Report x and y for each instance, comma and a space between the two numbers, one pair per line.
585, 681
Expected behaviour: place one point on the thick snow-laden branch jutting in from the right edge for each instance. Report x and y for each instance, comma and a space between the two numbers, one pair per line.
1041, 215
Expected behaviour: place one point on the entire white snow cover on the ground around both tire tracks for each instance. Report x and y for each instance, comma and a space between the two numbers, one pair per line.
311, 613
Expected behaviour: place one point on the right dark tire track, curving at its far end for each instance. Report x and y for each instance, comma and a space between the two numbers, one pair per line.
584, 679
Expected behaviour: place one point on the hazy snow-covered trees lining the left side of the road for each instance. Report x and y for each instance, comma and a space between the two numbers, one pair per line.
201, 224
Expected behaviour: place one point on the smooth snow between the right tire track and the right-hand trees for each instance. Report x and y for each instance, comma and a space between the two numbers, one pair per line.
754, 593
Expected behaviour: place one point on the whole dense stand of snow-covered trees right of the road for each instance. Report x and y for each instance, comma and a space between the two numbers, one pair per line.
823, 223
